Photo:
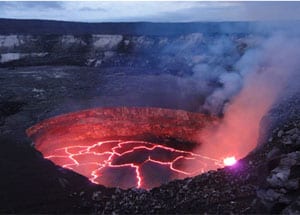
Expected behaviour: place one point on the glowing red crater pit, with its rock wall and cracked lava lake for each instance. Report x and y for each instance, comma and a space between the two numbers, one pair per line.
125, 147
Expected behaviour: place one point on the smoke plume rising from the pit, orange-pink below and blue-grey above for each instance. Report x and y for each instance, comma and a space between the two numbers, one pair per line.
263, 76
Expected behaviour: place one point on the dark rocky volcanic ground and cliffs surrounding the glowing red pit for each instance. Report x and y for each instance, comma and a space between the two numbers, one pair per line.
196, 71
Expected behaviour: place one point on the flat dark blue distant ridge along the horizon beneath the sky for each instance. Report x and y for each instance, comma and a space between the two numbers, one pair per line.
17, 26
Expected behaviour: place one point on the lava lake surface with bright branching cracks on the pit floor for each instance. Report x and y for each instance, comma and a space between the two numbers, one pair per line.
132, 159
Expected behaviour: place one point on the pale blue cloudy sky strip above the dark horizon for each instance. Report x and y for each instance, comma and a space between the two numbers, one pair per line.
151, 11
